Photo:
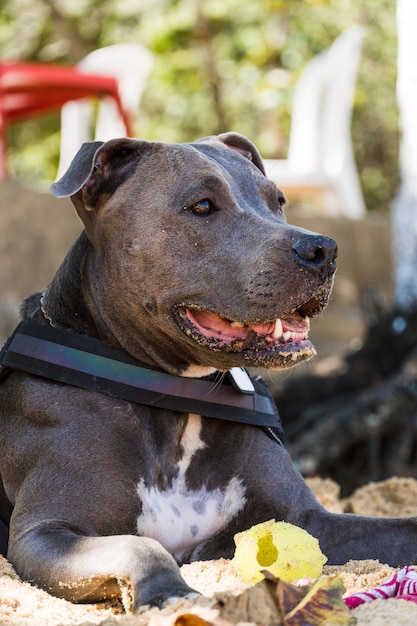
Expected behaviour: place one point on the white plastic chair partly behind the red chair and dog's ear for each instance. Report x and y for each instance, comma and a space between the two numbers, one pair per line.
130, 64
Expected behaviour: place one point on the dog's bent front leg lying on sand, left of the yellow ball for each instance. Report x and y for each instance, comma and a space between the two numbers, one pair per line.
90, 569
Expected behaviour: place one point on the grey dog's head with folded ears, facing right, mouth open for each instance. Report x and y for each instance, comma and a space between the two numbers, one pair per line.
192, 262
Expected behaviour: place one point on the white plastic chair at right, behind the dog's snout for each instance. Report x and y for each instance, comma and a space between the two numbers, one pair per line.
320, 155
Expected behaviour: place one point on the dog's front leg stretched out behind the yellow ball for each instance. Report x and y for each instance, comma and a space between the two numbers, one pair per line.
275, 489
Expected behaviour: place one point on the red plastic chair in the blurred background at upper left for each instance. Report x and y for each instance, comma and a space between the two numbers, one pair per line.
29, 90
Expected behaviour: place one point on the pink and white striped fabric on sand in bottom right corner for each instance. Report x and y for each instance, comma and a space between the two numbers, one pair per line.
403, 585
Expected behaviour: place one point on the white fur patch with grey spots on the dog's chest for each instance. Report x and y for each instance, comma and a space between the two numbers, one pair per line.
180, 518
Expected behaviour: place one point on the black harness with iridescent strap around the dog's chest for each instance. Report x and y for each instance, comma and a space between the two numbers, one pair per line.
86, 362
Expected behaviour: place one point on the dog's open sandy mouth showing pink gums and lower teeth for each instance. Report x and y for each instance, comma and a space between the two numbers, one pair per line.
282, 342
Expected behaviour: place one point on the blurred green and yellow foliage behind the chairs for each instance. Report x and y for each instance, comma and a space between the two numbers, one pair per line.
219, 65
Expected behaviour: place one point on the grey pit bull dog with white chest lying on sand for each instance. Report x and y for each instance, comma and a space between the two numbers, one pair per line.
187, 264
